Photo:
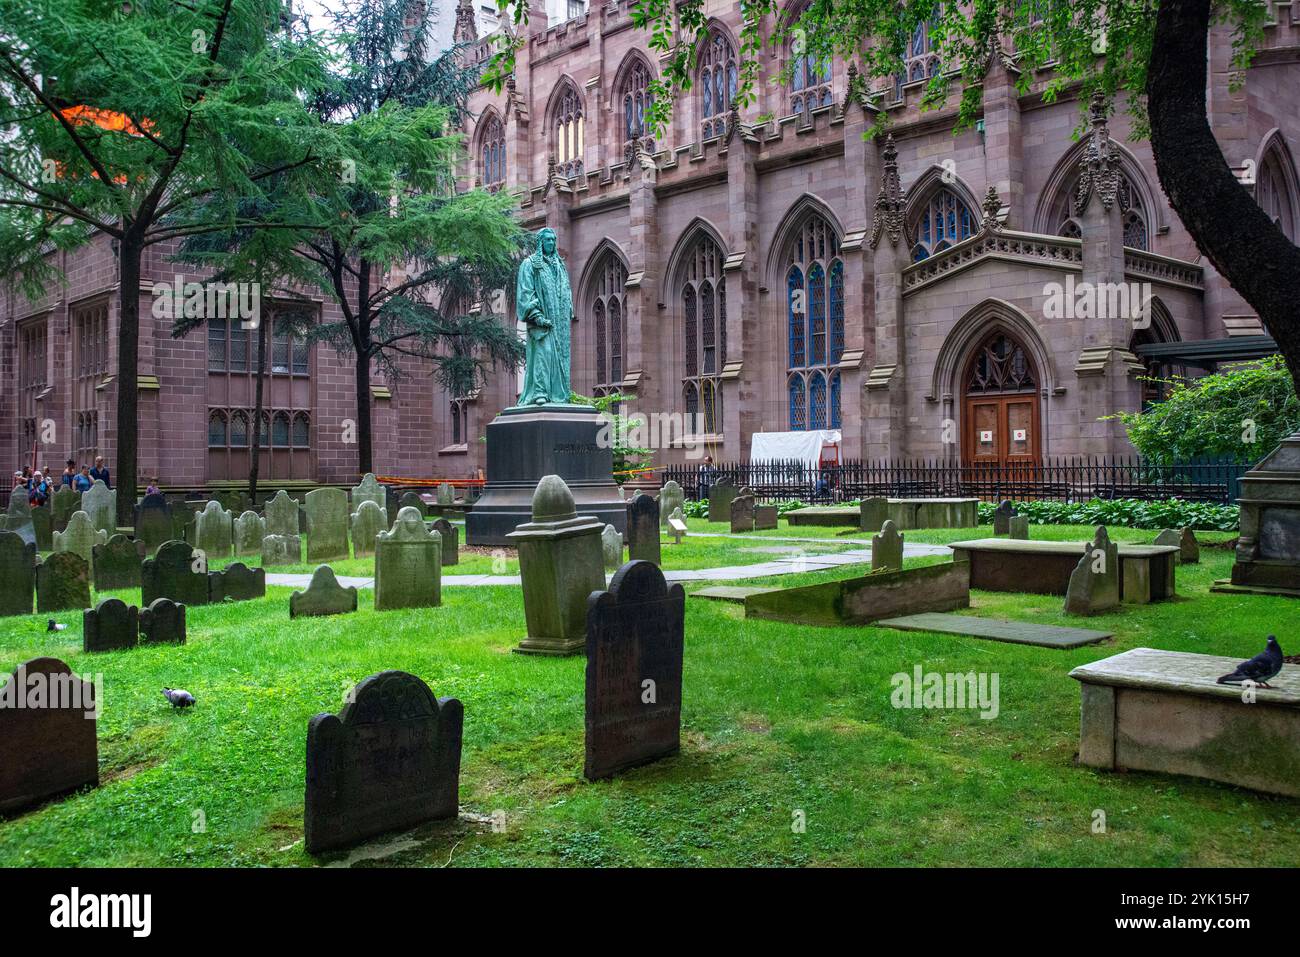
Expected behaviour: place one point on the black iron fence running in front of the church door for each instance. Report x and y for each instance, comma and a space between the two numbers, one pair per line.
1058, 480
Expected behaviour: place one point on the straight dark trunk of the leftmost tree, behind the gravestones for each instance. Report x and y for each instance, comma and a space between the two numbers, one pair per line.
129, 254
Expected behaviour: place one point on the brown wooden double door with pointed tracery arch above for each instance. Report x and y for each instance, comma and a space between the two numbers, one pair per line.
1000, 405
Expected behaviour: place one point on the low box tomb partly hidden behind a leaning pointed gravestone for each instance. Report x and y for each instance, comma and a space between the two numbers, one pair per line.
1043, 568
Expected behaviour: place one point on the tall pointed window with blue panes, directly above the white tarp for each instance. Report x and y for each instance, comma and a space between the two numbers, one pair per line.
814, 324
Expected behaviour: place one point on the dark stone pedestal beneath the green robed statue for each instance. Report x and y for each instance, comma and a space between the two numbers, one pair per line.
527, 444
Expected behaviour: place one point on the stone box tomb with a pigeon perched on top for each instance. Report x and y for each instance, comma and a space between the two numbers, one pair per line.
1151, 711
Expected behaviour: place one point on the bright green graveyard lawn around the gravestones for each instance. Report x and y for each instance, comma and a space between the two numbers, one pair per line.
778, 721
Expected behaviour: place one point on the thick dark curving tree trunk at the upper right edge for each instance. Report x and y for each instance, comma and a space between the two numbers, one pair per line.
1229, 227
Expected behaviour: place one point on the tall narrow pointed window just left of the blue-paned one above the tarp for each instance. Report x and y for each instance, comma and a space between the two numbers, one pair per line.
703, 298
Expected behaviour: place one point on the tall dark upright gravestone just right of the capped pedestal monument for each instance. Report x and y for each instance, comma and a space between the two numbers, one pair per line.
635, 638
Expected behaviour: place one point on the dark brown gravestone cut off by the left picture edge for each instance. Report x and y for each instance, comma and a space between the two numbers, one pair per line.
47, 751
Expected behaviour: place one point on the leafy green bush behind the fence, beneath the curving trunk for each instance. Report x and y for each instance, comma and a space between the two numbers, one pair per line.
1241, 414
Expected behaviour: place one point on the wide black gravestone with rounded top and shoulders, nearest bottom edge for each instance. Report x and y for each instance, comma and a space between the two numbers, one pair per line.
389, 760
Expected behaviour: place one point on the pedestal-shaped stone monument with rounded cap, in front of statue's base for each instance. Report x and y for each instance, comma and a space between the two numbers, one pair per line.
561, 562
